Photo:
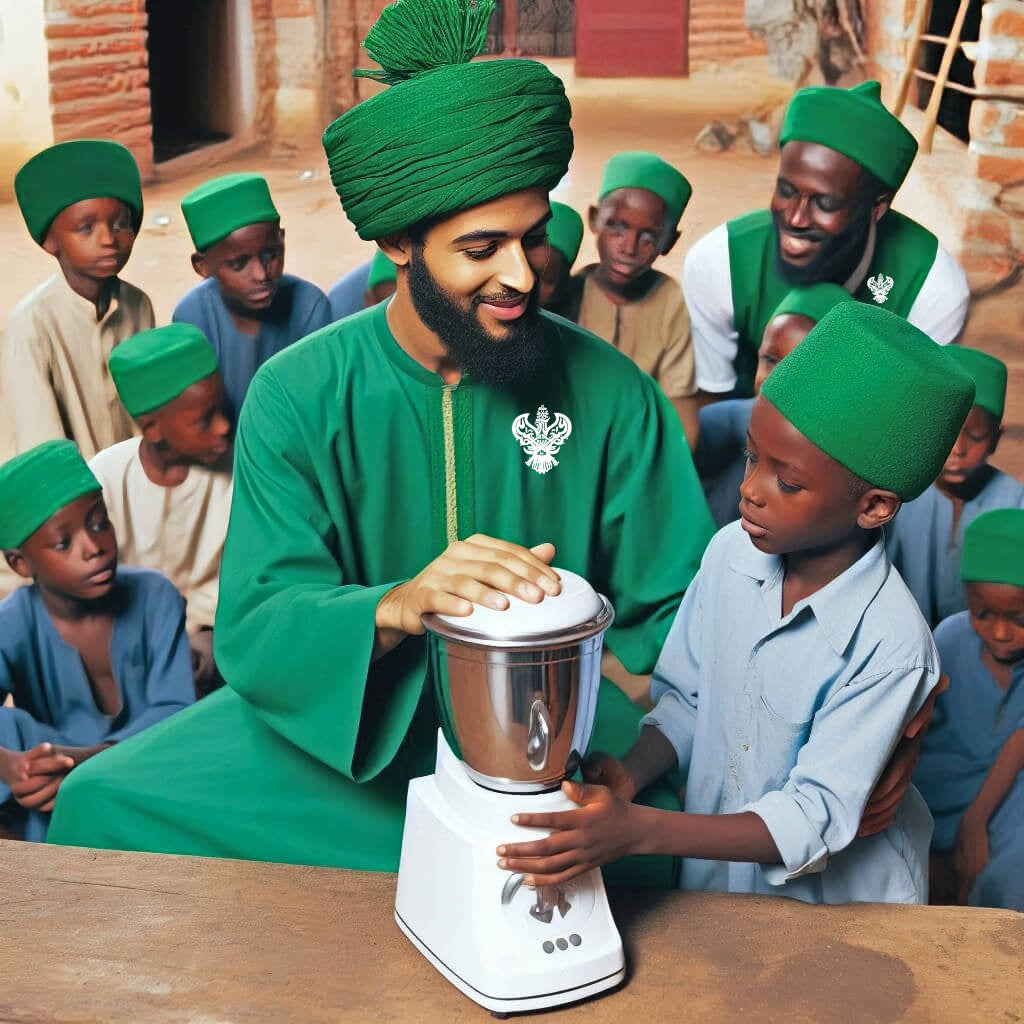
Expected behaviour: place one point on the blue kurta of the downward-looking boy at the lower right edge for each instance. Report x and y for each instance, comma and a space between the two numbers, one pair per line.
972, 723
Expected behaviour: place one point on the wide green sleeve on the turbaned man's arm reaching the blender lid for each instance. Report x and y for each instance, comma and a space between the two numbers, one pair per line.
293, 636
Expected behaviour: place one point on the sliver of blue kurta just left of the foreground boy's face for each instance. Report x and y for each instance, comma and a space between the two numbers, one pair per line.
719, 459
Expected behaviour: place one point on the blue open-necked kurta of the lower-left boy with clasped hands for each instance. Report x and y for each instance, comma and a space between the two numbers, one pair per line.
54, 700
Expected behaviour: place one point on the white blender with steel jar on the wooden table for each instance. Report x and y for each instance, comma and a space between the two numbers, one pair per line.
517, 694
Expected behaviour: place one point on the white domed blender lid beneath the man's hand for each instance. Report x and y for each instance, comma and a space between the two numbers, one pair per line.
578, 606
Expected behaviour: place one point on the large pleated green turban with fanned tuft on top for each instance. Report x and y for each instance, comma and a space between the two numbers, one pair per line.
448, 135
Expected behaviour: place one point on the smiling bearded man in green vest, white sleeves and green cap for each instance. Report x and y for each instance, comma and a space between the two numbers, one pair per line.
843, 159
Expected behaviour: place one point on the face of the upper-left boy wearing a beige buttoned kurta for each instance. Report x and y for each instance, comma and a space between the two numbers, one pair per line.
93, 239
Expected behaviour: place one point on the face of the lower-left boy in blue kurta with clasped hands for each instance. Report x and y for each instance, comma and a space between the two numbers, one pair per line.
74, 554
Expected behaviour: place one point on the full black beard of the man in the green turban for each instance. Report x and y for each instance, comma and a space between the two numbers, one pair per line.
517, 358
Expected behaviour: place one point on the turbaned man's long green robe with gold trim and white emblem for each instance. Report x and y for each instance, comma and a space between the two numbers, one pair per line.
355, 467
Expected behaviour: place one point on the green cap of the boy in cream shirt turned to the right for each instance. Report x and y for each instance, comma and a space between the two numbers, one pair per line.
155, 367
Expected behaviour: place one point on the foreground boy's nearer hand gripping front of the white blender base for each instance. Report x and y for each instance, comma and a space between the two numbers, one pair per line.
603, 830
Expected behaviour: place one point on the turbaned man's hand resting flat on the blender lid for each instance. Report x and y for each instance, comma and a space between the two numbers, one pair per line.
480, 571
